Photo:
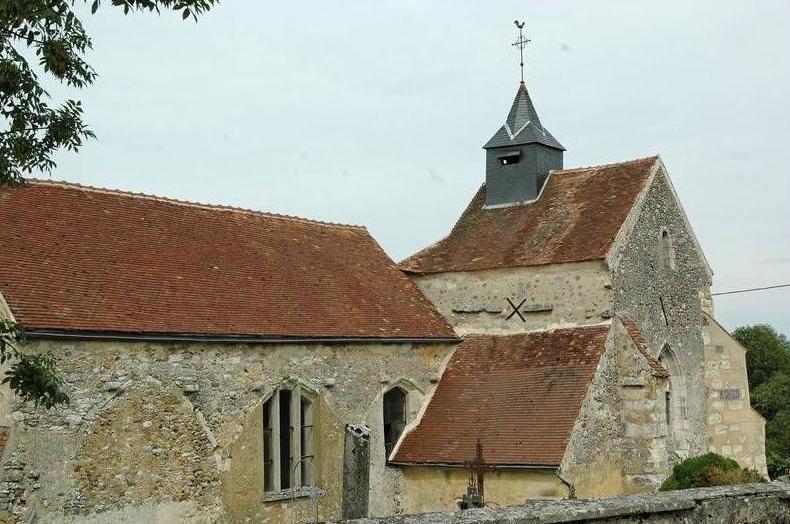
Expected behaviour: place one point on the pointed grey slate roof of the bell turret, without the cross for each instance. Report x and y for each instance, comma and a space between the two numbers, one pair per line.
522, 125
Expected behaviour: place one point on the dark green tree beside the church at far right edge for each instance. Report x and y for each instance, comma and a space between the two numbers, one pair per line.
768, 365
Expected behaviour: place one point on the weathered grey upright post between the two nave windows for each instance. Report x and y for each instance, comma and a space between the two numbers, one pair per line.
356, 471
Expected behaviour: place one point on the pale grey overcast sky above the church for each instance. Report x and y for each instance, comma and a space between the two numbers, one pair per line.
374, 113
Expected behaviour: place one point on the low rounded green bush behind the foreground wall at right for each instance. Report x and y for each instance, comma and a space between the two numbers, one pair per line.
708, 470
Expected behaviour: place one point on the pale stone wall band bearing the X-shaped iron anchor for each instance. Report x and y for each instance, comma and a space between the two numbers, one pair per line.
554, 295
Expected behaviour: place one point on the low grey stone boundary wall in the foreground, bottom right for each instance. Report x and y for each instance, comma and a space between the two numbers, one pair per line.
767, 503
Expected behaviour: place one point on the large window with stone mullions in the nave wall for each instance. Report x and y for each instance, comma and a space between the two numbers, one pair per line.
288, 439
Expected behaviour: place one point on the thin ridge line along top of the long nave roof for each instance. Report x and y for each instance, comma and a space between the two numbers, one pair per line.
188, 203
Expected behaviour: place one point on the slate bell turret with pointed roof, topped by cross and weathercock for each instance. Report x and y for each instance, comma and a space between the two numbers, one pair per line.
521, 154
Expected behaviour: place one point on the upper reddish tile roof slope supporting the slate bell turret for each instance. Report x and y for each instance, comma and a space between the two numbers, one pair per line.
576, 218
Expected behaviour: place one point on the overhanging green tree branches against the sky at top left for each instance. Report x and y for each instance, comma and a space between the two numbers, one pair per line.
49, 32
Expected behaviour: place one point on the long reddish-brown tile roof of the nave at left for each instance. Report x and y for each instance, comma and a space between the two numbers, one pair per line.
90, 260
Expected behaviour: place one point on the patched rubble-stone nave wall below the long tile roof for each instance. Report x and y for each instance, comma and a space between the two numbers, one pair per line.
176, 426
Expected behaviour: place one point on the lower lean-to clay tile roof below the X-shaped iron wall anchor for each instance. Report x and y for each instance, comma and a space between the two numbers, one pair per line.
520, 394
